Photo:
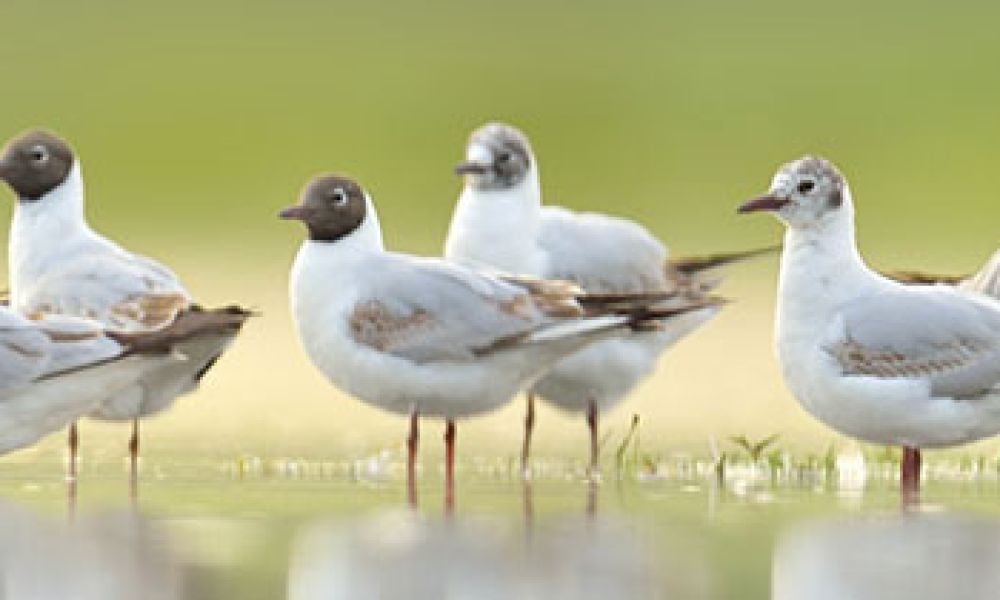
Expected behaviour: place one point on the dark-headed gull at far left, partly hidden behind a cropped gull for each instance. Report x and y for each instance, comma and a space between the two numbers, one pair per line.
58, 264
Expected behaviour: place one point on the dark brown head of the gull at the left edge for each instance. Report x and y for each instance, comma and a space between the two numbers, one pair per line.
35, 163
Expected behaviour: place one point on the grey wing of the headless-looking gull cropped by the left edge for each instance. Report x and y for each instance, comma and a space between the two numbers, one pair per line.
24, 351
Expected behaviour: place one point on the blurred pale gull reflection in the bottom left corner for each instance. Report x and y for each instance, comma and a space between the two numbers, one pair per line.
94, 558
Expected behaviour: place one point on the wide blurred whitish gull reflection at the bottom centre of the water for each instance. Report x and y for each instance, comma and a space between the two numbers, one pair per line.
402, 555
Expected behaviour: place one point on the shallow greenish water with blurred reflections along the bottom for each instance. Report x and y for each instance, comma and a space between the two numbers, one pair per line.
342, 530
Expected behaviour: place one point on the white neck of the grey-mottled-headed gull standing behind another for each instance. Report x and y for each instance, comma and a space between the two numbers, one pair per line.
499, 228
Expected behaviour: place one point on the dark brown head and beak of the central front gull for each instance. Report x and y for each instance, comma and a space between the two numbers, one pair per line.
331, 207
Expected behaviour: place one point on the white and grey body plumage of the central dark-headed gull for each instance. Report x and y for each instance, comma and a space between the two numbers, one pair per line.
466, 341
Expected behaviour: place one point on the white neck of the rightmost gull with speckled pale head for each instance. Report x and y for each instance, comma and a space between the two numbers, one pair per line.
821, 269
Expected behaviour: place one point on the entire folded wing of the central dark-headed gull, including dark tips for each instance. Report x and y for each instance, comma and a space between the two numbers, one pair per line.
430, 310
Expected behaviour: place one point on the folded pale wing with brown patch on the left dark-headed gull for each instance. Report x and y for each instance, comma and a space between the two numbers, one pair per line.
120, 290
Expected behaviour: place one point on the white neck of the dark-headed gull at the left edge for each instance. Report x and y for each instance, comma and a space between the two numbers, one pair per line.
45, 229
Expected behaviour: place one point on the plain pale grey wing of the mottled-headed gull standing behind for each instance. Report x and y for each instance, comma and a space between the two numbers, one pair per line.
601, 253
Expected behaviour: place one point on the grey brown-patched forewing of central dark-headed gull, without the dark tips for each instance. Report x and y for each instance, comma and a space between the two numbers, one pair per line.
429, 310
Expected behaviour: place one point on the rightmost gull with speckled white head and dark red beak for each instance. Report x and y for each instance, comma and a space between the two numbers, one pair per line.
877, 360
